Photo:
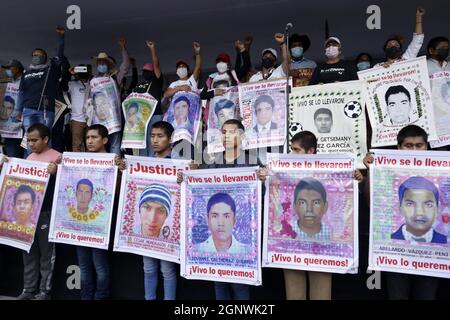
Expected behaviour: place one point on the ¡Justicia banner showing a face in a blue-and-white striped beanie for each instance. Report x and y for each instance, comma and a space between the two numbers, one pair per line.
148, 221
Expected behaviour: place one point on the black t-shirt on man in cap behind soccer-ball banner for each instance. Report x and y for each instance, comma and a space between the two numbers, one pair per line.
328, 73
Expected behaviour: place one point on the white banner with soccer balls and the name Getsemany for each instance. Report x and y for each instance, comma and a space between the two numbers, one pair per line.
334, 113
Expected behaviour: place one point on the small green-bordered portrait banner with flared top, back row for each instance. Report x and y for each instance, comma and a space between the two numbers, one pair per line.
138, 109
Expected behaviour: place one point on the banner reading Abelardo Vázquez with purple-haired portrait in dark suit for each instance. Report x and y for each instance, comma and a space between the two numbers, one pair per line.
410, 212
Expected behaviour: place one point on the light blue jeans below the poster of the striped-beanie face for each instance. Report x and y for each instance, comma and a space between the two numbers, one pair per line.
151, 278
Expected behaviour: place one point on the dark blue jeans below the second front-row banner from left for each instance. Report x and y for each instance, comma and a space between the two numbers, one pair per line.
95, 277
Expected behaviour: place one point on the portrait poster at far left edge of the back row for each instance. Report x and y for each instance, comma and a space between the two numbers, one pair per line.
9, 126
